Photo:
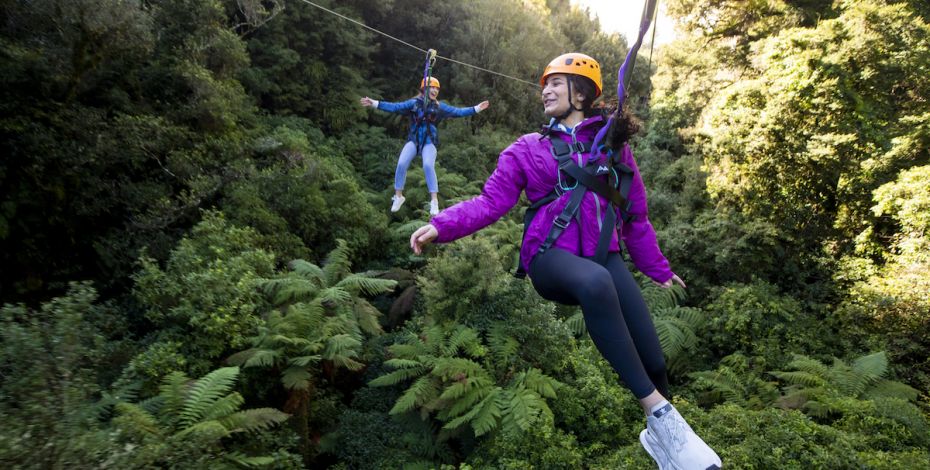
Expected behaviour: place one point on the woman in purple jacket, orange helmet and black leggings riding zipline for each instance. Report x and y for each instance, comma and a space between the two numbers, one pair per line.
563, 269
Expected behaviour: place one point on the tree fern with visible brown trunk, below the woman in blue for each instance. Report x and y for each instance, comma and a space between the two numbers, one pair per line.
318, 326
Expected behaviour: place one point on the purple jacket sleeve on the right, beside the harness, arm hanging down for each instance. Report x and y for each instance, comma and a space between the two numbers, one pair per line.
638, 234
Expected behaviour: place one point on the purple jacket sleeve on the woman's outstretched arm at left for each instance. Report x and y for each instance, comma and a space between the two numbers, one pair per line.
500, 193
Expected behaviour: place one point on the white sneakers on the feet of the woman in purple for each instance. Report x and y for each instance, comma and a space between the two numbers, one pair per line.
683, 448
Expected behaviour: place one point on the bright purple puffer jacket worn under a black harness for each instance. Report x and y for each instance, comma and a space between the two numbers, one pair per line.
528, 164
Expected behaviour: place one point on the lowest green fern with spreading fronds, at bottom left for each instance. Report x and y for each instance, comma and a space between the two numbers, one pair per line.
188, 422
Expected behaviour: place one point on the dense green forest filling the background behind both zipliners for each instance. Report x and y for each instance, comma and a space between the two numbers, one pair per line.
199, 268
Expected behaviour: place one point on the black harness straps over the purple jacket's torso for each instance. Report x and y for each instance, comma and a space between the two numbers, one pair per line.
615, 191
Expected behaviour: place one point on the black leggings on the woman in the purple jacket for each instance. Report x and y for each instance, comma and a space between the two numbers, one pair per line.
614, 312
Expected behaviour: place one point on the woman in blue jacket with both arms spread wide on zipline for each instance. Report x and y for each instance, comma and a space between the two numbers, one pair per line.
422, 138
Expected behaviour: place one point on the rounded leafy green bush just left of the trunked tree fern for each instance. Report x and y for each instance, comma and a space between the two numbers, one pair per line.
205, 301
